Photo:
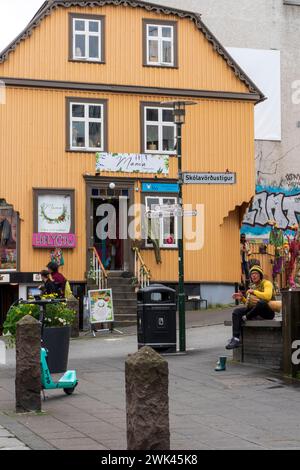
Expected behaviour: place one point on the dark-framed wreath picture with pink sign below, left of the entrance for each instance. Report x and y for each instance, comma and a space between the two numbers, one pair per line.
54, 224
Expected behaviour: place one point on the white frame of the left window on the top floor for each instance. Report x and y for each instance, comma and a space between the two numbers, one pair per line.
87, 34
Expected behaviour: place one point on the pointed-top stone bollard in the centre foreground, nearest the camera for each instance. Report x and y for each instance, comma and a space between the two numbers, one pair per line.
147, 401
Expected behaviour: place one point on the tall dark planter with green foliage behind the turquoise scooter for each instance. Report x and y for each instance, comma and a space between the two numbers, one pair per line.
56, 334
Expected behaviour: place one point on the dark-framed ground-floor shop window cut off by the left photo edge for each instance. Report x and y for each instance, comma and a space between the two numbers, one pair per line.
8, 239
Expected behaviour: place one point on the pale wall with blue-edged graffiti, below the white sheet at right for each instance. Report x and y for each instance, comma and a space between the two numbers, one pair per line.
277, 191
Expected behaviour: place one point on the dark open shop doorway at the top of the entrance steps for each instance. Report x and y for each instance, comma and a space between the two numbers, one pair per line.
106, 233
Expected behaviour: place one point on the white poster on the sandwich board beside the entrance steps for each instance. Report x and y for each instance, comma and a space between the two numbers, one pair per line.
101, 306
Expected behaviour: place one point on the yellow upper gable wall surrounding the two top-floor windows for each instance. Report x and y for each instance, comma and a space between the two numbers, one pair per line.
44, 55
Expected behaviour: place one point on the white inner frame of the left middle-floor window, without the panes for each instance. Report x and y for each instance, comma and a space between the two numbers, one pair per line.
87, 120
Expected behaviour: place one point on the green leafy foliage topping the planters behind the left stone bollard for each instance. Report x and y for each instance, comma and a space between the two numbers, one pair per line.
57, 315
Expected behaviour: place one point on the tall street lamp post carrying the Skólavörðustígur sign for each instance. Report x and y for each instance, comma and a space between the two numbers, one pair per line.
179, 120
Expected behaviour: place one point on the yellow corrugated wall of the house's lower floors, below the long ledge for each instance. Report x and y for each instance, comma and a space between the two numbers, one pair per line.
216, 138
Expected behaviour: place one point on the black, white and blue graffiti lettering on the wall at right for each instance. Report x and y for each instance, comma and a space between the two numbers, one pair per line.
281, 205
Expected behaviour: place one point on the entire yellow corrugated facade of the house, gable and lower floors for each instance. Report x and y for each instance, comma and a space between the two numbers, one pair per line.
218, 135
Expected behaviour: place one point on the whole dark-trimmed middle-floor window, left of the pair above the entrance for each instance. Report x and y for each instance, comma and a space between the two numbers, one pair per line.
86, 125
